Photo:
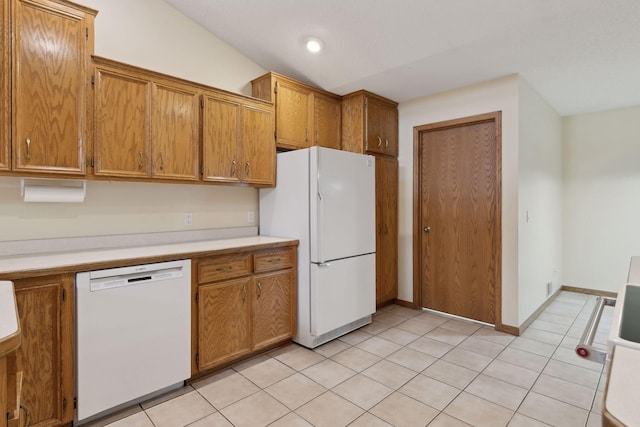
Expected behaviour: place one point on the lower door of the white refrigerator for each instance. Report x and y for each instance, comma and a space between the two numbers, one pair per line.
341, 292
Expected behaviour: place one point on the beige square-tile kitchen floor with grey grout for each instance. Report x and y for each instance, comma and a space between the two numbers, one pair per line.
407, 368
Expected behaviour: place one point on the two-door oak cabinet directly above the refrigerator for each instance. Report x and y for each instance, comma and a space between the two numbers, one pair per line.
305, 115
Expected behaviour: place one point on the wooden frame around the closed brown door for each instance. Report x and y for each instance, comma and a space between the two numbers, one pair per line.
495, 117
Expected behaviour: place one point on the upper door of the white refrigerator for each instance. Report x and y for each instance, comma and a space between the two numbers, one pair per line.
343, 211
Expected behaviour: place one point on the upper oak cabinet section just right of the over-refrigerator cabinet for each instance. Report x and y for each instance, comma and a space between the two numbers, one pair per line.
369, 124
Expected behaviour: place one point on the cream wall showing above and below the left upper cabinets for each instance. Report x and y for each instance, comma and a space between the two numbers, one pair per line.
153, 35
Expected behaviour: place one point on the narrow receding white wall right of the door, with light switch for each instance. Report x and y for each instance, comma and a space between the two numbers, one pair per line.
539, 201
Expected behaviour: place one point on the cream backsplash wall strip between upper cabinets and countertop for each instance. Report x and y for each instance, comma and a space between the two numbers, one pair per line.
124, 208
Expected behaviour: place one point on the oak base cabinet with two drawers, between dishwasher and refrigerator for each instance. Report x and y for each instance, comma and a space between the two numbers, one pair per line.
245, 302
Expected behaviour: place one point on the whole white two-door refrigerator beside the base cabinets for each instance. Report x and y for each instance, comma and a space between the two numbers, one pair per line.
326, 199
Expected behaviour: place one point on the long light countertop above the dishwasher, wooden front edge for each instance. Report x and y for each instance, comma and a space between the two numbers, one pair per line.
46, 261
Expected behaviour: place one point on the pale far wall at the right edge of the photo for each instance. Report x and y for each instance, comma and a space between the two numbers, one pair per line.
602, 197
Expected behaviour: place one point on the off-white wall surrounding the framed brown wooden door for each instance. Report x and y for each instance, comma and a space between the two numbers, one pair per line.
497, 95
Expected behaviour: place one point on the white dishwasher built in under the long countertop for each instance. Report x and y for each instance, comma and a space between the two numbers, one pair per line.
133, 334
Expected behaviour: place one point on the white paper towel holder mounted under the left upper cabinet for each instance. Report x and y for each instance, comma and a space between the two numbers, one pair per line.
52, 190
